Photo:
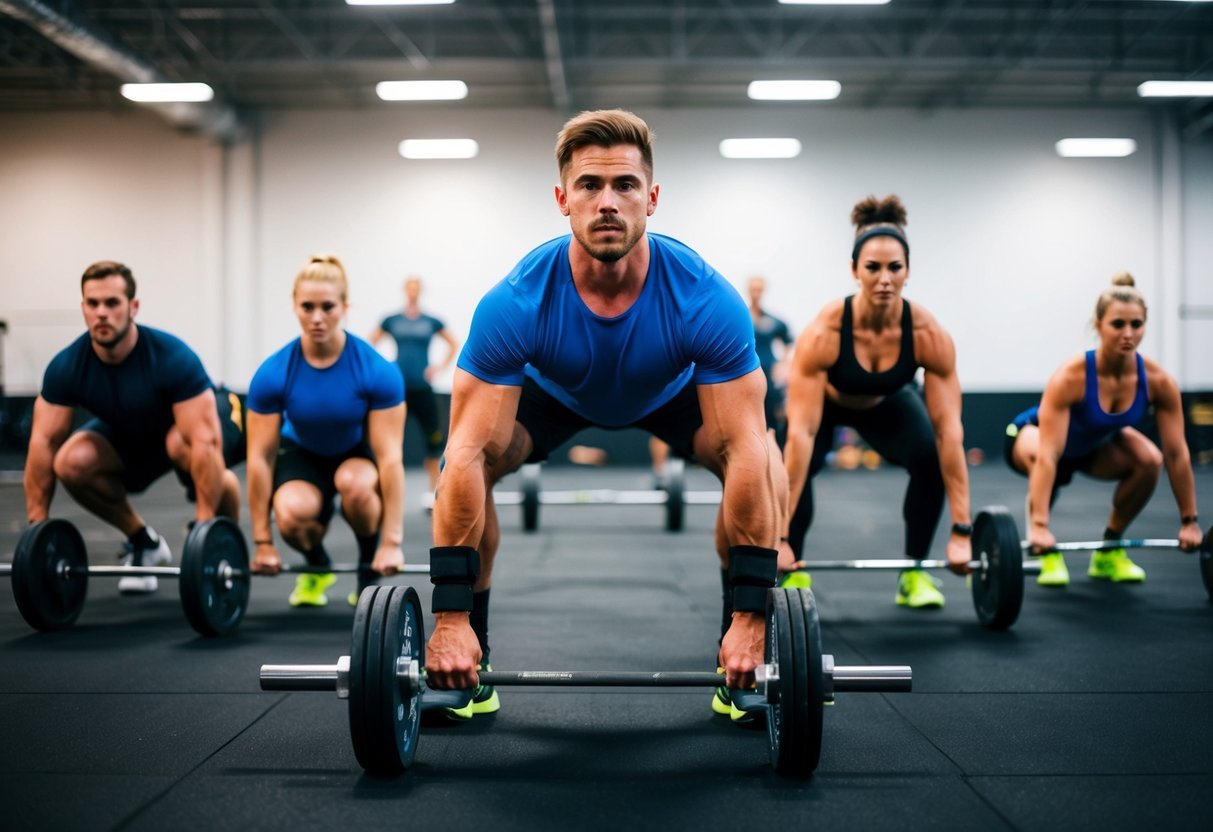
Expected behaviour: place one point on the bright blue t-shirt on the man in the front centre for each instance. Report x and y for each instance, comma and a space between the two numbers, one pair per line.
688, 324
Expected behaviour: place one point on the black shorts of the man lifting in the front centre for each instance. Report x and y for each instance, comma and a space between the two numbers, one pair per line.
550, 424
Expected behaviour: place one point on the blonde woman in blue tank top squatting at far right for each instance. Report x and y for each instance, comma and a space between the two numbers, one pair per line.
1086, 423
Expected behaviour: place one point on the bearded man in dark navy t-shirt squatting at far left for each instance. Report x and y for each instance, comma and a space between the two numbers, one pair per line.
155, 409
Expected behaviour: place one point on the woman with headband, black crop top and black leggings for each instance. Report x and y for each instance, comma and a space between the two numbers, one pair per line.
856, 366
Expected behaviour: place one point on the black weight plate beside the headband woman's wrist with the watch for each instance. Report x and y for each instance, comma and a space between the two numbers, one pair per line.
999, 588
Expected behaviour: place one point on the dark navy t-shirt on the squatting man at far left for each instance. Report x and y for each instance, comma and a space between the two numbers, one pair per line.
134, 398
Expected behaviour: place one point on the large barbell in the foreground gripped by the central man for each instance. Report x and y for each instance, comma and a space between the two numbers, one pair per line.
384, 680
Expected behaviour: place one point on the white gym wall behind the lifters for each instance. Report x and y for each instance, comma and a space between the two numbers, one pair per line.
1011, 243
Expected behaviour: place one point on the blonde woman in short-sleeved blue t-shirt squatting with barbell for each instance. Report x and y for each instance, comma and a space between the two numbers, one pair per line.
326, 420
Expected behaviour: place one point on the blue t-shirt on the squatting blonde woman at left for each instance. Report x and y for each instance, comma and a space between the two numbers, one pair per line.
326, 411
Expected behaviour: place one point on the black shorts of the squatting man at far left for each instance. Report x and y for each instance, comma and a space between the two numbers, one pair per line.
146, 458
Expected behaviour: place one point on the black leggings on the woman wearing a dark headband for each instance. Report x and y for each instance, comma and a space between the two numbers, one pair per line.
899, 430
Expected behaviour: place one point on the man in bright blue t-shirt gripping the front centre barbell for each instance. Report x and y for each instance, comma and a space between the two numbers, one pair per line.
611, 327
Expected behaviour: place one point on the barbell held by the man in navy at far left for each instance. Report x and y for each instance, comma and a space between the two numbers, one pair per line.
50, 575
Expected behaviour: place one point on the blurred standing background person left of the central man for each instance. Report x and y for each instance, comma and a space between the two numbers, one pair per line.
413, 330
